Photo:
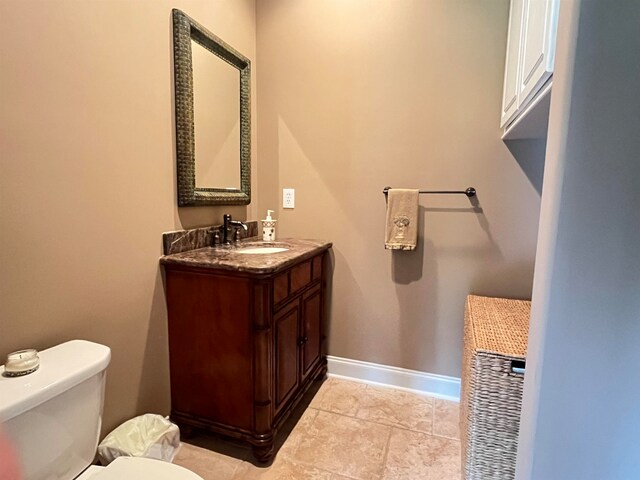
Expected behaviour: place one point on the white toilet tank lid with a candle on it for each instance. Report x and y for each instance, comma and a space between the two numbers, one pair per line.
61, 367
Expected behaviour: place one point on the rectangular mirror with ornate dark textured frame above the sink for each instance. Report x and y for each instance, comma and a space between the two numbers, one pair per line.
212, 115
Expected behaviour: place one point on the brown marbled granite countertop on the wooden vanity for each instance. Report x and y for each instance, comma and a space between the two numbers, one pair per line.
228, 258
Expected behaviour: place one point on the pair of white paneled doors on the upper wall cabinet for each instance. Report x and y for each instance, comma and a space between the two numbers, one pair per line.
530, 53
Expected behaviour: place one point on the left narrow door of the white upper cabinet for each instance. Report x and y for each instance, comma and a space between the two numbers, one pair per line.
510, 90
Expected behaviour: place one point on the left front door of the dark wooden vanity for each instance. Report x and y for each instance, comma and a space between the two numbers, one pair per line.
286, 352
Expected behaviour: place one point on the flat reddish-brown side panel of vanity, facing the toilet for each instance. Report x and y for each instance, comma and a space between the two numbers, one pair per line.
210, 347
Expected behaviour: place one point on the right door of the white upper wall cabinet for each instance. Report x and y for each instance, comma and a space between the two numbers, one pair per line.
538, 46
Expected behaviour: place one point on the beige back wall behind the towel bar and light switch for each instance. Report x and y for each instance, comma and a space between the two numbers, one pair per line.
358, 95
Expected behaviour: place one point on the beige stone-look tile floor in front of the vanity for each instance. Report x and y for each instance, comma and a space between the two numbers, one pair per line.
349, 431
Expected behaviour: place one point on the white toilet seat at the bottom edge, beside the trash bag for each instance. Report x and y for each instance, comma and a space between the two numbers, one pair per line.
139, 469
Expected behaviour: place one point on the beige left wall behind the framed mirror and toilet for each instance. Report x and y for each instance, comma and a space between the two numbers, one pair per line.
88, 179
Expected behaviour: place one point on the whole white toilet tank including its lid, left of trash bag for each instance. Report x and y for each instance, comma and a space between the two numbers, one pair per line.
53, 416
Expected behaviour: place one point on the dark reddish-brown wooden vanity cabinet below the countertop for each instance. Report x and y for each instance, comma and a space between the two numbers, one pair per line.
244, 347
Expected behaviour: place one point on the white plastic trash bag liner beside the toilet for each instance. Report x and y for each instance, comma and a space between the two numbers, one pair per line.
148, 436
